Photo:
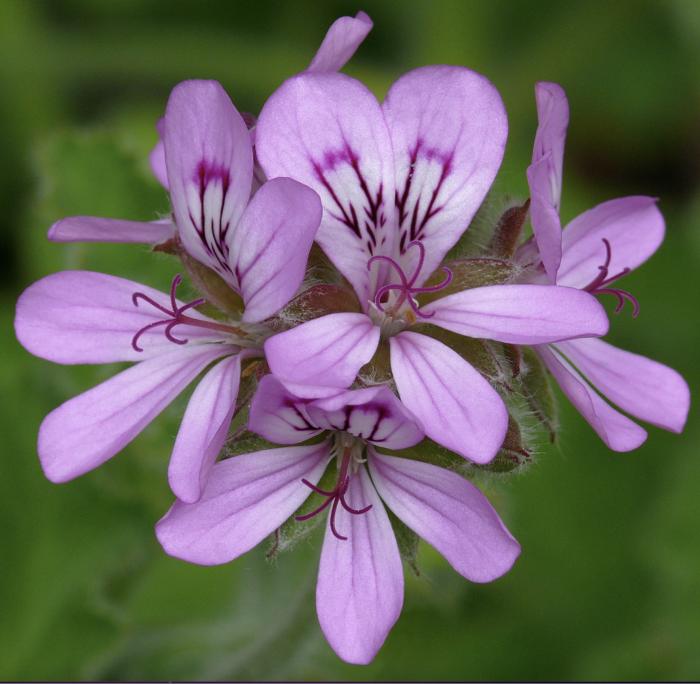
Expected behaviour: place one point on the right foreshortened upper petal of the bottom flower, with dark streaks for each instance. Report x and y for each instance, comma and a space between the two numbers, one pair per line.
374, 414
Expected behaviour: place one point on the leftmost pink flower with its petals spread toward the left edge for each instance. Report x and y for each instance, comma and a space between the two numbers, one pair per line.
259, 247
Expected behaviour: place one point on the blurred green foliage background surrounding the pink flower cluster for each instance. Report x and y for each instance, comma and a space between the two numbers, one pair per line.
608, 585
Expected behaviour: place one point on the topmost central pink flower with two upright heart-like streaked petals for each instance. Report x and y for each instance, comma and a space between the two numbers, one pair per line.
400, 183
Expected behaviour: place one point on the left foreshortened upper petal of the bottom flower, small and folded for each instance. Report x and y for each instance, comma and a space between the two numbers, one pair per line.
279, 415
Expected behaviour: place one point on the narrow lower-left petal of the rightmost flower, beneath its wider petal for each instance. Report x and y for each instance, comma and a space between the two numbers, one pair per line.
615, 429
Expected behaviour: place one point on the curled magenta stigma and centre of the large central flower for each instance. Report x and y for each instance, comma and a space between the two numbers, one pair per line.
391, 298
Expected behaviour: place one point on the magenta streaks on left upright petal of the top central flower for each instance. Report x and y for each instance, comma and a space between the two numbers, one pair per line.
370, 217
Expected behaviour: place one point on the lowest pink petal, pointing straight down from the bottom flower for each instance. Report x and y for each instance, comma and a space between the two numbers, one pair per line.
359, 594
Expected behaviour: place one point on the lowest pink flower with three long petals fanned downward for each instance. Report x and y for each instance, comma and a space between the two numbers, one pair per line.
359, 593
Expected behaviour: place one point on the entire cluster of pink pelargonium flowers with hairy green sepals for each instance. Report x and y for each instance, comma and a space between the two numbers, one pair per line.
381, 366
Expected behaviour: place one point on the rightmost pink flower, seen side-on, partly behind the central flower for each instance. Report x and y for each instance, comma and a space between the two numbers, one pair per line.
592, 253
